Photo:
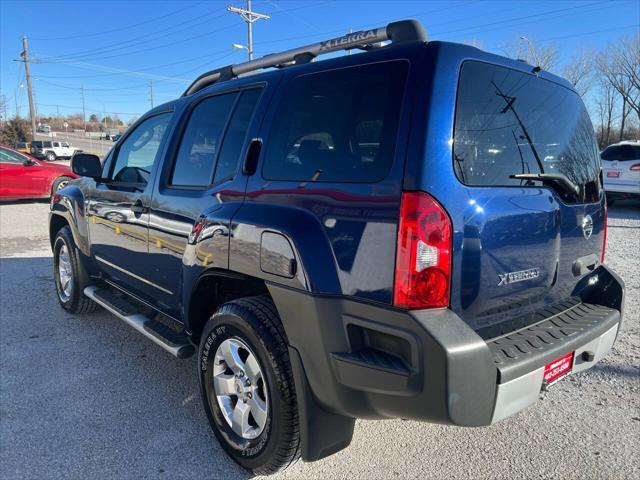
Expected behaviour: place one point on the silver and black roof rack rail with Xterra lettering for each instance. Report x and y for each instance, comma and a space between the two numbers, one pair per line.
398, 32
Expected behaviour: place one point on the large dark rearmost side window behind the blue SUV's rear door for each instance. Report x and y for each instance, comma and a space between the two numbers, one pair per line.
337, 126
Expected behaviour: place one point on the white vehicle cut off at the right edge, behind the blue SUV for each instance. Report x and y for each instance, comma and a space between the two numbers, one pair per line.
621, 170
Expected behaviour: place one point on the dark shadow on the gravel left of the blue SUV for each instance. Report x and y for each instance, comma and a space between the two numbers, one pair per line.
87, 396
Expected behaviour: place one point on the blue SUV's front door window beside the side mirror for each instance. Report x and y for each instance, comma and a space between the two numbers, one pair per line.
137, 154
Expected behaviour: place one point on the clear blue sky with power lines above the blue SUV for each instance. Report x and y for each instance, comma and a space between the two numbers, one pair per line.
117, 51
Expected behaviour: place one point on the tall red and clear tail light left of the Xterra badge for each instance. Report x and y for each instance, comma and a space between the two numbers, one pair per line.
423, 257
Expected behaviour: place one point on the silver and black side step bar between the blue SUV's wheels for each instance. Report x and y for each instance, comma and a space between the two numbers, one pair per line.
174, 342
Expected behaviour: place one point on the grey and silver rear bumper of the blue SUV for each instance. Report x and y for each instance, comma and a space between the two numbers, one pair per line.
366, 361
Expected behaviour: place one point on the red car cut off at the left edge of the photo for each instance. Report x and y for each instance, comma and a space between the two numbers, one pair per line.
22, 176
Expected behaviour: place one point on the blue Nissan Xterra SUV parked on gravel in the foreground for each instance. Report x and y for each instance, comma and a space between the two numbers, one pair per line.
415, 231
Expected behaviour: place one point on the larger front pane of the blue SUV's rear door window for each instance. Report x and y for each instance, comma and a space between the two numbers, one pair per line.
200, 144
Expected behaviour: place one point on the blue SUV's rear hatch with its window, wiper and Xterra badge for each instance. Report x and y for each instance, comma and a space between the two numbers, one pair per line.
523, 234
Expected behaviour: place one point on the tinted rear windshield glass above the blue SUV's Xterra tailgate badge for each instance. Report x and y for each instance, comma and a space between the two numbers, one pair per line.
509, 122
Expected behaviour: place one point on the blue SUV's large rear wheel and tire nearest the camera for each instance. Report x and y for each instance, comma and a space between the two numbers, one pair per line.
244, 366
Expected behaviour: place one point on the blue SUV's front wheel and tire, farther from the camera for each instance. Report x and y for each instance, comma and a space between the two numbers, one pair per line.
69, 275
